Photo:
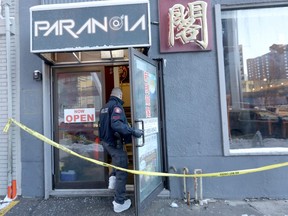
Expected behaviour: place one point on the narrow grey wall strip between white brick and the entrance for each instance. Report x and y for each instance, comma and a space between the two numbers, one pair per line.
31, 109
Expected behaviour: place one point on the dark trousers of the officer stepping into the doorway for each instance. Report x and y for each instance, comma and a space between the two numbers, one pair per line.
119, 159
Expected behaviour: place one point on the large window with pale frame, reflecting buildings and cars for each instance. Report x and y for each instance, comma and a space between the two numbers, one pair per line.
252, 47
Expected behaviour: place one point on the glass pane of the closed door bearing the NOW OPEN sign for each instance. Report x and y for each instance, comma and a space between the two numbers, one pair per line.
77, 100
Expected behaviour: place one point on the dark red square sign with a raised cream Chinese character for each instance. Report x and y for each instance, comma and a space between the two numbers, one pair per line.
185, 25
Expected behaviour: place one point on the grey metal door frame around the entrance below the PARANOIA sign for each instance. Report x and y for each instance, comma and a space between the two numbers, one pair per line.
48, 125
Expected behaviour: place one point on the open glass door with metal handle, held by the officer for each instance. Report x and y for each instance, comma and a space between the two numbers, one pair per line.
145, 106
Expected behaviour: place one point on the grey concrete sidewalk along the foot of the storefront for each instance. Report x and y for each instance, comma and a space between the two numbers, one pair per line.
161, 206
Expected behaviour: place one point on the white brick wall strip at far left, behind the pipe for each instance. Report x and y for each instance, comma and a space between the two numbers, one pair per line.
4, 100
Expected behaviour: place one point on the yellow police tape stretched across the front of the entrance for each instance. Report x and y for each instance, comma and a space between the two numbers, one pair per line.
140, 172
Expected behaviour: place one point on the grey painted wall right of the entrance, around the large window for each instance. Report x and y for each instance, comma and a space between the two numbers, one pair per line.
193, 126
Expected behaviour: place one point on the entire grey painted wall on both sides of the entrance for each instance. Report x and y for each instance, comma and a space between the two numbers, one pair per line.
193, 121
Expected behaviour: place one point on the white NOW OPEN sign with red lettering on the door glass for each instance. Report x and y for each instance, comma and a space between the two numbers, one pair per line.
79, 115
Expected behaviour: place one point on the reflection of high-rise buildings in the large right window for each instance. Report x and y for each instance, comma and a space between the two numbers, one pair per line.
268, 77
